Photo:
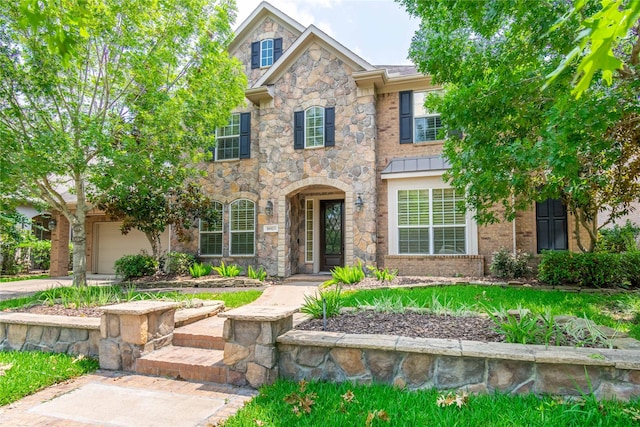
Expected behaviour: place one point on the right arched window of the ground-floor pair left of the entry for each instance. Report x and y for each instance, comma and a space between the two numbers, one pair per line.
242, 227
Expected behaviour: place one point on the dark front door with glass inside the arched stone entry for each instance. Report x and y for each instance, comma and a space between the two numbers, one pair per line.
331, 234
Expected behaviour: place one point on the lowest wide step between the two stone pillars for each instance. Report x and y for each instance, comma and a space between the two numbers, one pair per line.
192, 364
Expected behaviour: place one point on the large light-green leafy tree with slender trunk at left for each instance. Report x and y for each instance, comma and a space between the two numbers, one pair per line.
141, 91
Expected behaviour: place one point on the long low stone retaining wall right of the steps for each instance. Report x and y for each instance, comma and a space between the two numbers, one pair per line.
417, 363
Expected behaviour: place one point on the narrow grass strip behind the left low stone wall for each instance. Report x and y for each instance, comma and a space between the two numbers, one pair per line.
91, 296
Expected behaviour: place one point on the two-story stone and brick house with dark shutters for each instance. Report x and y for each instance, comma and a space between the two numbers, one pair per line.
334, 161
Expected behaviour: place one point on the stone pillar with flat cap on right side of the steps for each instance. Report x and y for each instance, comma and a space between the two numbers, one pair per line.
250, 334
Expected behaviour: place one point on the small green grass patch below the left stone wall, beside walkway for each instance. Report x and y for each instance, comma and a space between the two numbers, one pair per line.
32, 371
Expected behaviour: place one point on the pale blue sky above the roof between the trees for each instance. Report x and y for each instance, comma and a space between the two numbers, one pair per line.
379, 31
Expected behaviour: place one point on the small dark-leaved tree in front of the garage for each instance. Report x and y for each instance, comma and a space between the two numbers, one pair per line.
154, 204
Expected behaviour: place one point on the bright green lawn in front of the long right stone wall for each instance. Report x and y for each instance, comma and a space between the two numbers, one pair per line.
379, 405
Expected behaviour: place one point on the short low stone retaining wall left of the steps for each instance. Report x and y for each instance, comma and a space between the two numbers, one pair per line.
58, 334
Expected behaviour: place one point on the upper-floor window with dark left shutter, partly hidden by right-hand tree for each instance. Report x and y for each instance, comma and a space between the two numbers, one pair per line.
417, 124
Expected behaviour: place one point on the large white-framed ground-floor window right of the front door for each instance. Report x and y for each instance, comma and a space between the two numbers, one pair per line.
429, 223
